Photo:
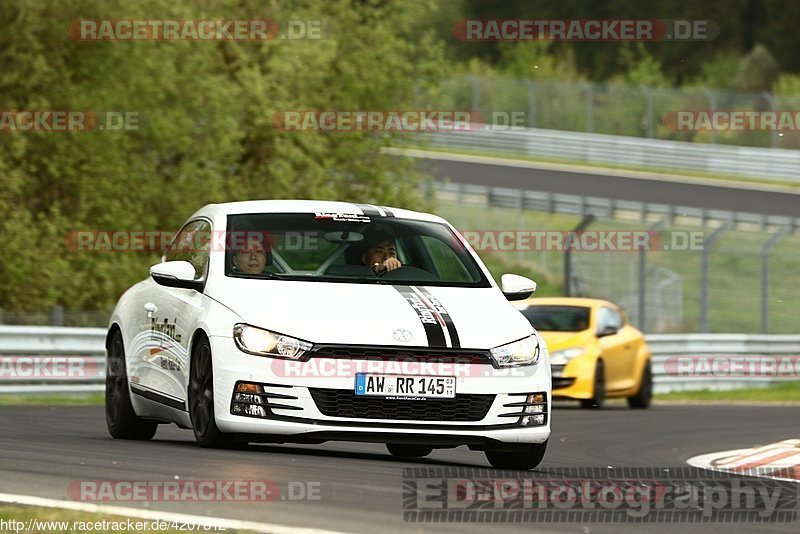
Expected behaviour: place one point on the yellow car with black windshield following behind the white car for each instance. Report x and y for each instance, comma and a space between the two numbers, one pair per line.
594, 352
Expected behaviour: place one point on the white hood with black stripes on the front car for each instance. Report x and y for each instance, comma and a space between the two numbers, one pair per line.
376, 314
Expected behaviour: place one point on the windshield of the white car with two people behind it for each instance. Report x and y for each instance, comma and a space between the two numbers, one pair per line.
348, 247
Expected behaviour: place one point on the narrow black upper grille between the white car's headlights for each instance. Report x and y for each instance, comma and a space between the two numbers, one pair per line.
403, 354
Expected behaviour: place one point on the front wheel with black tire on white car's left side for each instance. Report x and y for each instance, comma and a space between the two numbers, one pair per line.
201, 400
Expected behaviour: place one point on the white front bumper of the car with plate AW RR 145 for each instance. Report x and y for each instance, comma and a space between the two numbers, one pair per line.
315, 401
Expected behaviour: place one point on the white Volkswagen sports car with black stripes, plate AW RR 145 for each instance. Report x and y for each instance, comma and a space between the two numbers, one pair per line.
308, 321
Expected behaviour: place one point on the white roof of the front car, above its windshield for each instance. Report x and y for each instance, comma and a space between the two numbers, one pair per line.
311, 206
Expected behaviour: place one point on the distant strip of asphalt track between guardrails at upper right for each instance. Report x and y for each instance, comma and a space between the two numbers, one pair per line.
618, 185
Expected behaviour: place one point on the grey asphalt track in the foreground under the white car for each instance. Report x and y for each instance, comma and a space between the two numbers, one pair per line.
43, 449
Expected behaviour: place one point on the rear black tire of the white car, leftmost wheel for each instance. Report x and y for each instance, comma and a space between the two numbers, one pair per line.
122, 421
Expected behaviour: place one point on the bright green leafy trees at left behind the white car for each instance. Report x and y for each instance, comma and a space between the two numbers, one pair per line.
206, 127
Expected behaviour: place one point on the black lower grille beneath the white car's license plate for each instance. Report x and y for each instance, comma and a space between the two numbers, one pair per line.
345, 403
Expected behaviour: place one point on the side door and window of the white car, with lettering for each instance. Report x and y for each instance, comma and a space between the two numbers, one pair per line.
171, 315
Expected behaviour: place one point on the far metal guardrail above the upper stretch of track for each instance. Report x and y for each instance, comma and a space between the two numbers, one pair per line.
772, 163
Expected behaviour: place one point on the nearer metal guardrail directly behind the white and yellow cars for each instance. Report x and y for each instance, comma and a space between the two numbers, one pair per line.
72, 360
